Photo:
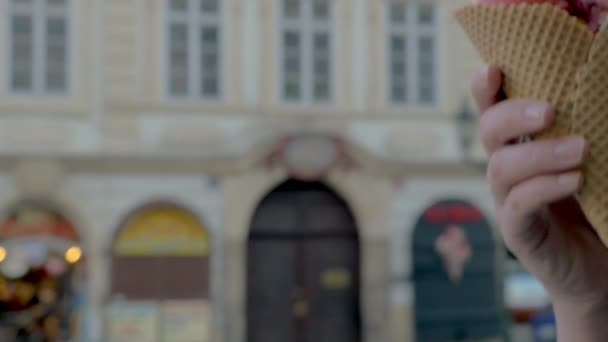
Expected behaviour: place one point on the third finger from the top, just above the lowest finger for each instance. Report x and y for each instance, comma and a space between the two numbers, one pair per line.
517, 163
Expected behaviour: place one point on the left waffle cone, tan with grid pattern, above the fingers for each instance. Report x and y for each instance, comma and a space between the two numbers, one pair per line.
538, 47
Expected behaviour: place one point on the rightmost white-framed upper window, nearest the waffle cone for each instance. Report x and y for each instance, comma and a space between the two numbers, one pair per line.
412, 52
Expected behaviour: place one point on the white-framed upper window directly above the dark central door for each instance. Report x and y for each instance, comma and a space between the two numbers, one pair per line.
307, 51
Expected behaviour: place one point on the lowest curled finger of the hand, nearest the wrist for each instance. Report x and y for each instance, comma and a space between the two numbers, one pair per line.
527, 198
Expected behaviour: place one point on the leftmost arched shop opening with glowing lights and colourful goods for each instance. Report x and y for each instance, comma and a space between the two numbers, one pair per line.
42, 287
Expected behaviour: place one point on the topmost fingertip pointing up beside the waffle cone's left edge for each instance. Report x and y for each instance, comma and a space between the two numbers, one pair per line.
486, 86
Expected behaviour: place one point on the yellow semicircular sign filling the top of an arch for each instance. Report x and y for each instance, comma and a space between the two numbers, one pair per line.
162, 231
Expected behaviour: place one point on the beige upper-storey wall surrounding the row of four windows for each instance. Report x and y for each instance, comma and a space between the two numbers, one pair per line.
128, 39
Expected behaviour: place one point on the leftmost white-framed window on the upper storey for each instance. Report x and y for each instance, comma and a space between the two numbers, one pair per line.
38, 44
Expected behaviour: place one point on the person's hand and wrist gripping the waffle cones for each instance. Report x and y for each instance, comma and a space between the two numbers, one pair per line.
533, 183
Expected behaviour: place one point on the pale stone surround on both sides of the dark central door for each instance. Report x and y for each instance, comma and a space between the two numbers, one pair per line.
243, 194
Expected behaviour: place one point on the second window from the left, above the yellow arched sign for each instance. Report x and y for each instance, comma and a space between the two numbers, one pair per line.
194, 43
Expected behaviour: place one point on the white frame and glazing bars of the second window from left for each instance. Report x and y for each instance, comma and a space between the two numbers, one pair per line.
194, 23
